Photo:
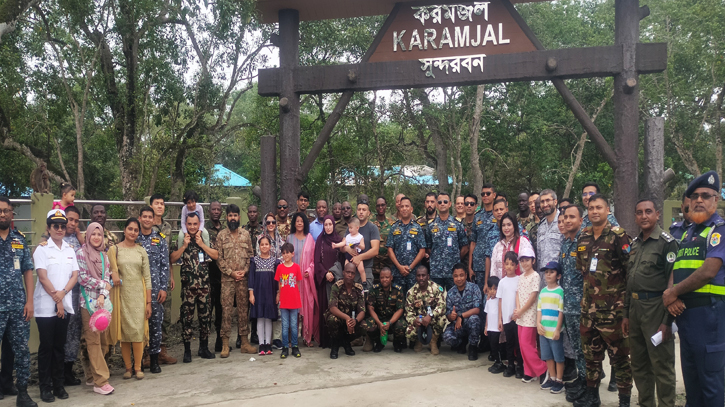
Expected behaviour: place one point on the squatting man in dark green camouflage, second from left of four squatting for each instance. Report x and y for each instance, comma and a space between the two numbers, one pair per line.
385, 305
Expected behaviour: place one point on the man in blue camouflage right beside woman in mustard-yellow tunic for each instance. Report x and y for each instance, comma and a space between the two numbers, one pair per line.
158, 252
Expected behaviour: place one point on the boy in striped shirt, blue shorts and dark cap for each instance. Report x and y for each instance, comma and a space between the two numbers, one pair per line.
549, 319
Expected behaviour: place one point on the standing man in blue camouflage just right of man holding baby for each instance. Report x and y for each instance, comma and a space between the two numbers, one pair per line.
406, 246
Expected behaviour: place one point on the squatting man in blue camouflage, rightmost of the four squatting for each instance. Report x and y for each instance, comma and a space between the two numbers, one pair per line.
463, 304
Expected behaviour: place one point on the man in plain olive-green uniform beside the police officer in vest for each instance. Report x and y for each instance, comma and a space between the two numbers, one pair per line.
650, 265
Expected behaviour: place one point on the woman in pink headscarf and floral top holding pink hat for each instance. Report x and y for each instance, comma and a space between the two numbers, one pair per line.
95, 281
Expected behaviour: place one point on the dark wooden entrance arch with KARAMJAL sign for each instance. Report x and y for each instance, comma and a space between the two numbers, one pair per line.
453, 43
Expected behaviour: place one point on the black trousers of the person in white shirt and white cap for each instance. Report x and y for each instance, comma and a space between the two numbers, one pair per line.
52, 333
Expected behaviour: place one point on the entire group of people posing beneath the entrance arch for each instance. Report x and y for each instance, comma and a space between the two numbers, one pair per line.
548, 289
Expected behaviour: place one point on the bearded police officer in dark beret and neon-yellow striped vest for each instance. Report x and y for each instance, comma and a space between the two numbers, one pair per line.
697, 295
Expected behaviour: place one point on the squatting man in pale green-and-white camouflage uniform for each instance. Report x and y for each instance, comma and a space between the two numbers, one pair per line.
425, 295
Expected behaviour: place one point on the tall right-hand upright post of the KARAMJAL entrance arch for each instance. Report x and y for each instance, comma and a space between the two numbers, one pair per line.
626, 114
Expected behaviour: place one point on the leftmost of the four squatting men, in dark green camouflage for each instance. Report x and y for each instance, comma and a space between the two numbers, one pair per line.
345, 316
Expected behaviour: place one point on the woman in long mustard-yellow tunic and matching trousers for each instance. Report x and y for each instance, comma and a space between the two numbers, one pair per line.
132, 308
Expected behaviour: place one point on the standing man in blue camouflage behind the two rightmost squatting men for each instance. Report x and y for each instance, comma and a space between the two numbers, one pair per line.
445, 237
